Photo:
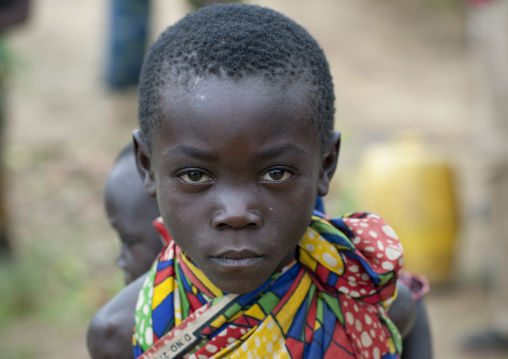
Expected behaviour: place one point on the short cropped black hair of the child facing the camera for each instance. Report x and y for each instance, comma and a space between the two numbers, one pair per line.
236, 41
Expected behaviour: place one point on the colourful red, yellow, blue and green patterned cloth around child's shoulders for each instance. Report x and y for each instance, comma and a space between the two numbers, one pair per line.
329, 302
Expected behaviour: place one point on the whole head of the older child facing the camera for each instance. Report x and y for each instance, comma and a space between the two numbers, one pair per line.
236, 154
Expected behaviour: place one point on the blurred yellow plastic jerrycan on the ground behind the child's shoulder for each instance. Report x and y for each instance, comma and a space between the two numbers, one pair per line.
411, 186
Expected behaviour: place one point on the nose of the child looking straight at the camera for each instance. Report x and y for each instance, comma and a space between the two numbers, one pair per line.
237, 210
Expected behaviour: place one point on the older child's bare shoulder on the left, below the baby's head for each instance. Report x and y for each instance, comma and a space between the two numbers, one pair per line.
109, 334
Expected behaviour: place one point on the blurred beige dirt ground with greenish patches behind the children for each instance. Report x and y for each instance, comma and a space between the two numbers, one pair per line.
396, 64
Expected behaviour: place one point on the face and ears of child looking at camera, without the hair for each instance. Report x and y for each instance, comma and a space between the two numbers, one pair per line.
236, 168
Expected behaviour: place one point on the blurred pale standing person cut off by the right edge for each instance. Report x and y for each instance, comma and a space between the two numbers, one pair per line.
488, 40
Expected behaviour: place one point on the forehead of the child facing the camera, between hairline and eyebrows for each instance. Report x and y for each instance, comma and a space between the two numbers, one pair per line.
251, 106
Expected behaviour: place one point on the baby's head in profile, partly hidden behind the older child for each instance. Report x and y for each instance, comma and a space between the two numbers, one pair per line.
131, 213
